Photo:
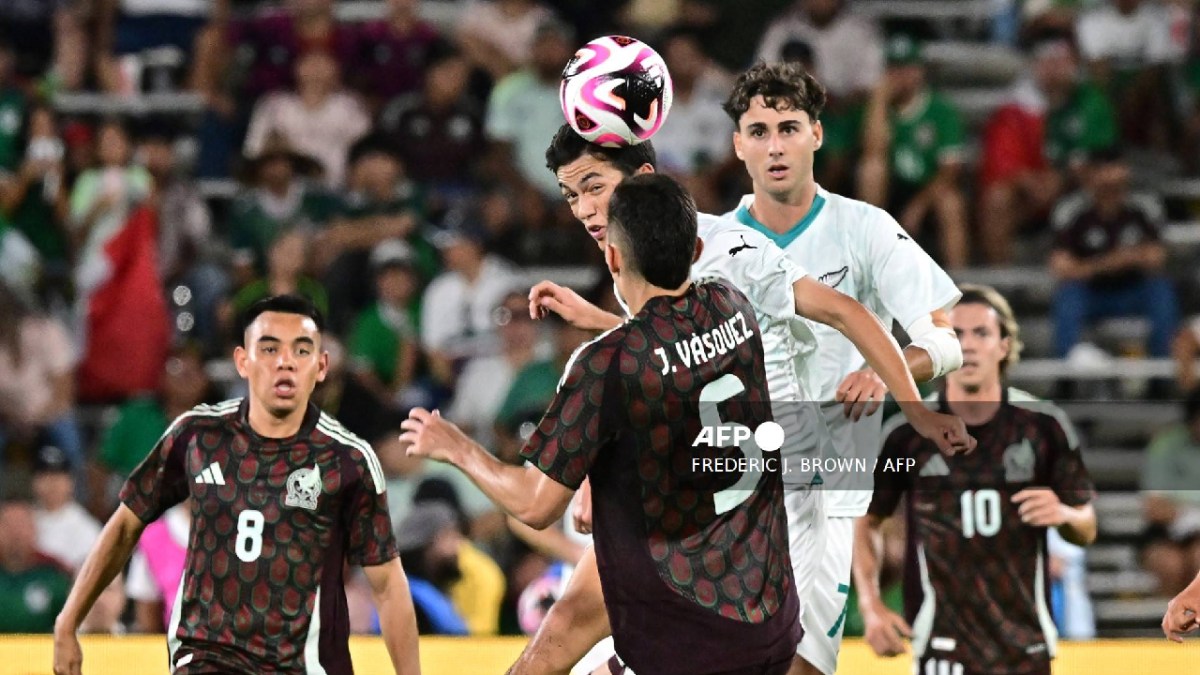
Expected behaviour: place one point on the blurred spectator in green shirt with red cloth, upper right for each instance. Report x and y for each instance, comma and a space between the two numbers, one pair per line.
1034, 146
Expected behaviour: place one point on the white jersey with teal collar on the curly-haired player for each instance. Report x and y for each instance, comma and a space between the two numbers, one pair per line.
863, 253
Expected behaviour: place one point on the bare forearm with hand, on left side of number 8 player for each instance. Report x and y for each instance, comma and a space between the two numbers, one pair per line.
104, 564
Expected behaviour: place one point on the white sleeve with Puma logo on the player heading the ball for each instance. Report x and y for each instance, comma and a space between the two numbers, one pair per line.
752, 264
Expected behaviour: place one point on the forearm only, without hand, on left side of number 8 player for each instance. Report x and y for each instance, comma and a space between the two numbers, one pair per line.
104, 564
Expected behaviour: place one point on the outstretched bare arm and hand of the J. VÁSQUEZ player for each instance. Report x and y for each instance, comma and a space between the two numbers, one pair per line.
523, 492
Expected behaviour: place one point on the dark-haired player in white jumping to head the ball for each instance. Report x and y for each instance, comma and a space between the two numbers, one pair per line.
783, 296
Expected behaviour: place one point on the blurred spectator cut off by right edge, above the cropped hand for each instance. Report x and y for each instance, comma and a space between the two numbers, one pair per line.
1172, 503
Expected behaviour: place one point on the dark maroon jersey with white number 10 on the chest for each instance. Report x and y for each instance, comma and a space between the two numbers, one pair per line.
976, 589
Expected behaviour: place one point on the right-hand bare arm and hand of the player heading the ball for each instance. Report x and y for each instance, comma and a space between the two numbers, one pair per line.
818, 302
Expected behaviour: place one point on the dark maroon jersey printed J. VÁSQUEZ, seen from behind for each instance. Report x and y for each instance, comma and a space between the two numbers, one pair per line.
697, 578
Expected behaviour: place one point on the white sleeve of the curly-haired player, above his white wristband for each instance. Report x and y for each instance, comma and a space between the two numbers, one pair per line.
908, 283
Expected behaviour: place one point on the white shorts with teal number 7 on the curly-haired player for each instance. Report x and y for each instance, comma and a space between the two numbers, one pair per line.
824, 614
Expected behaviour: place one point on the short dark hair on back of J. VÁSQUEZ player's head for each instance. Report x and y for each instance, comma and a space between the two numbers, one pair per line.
653, 220
